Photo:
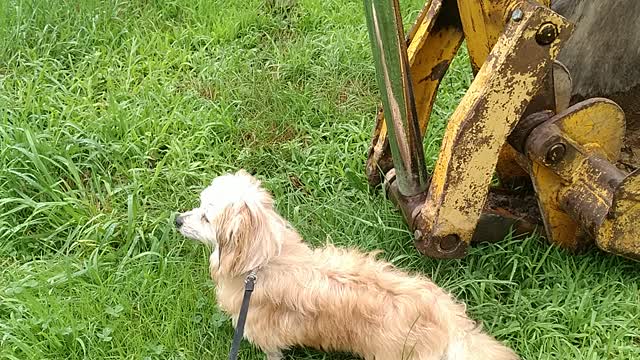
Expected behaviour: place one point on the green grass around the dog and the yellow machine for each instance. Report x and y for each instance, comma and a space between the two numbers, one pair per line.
114, 114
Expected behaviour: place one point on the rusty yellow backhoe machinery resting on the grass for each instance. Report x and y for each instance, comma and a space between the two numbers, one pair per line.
553, 114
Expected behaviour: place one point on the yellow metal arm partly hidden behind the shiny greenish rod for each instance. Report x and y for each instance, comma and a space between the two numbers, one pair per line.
433, 43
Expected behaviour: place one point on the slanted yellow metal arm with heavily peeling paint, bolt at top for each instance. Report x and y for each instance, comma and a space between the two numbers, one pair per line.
495, 101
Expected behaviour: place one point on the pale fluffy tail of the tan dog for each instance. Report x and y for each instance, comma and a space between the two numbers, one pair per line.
477, 345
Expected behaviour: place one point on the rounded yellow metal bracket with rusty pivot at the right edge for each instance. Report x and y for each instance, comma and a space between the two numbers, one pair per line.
584, 196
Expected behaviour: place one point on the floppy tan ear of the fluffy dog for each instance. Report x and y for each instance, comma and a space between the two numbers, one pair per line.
247, 240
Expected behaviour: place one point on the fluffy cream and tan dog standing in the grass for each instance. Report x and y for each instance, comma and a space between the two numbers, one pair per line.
330, 299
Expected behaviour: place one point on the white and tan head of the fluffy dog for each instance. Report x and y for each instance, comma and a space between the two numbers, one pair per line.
236, 218
